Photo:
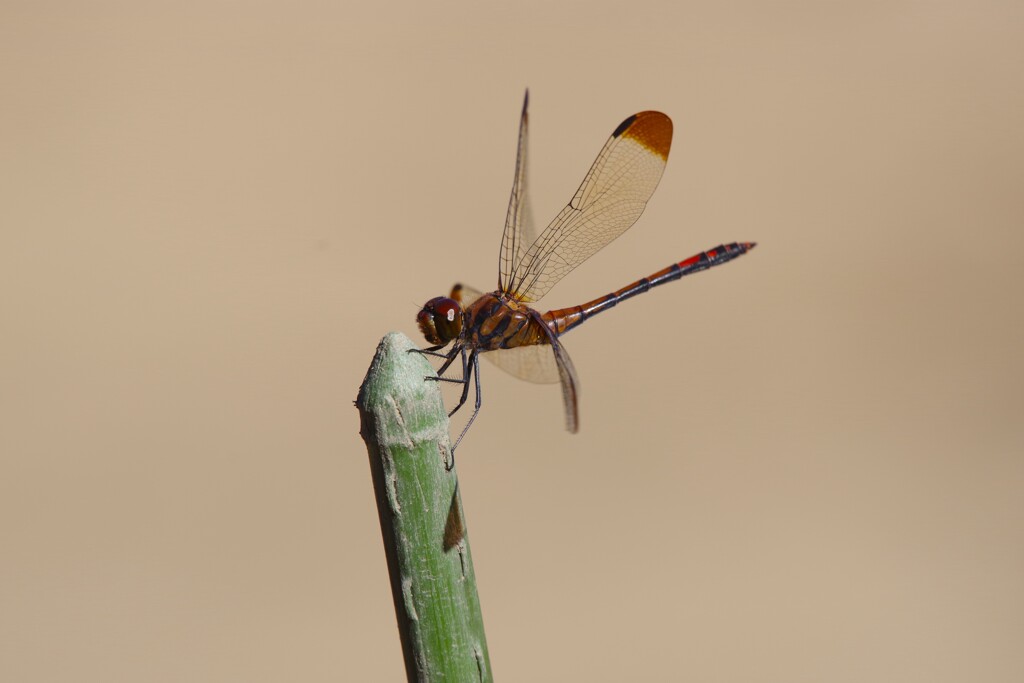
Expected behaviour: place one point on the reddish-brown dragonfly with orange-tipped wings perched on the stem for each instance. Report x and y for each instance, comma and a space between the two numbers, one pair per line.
502, 325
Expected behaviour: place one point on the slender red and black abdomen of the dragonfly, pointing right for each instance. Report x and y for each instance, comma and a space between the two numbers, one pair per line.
564, 320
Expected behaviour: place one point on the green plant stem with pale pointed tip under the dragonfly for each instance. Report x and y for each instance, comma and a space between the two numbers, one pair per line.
406, 429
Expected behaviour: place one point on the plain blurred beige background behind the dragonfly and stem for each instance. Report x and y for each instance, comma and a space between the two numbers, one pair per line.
804, 466
